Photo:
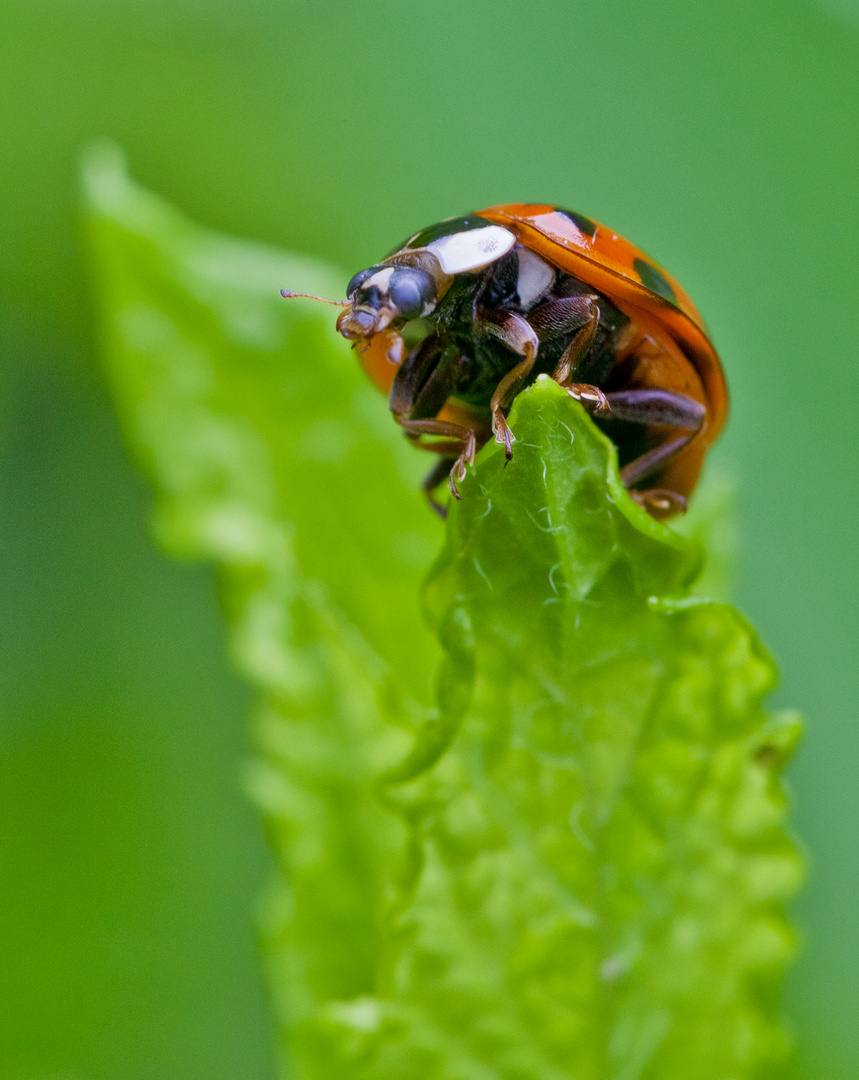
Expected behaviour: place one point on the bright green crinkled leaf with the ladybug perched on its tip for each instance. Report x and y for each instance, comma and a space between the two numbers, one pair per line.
569, 861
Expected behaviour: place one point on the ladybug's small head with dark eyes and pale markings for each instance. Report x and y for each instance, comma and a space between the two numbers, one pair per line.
386, 296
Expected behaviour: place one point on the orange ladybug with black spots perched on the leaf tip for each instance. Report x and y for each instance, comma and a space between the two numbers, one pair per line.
465, 315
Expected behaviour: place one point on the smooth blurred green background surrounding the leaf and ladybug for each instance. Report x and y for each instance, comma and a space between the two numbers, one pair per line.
721, 136
